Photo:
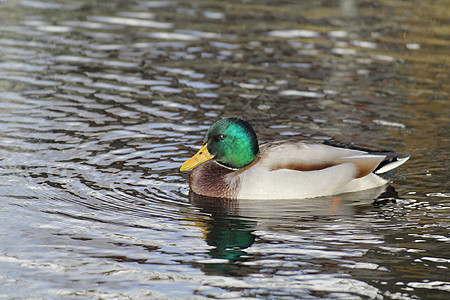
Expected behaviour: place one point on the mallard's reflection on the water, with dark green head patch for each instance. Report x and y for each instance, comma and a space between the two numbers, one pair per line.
231, 227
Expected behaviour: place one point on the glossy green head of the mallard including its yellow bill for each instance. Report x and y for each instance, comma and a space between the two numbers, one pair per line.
231, 142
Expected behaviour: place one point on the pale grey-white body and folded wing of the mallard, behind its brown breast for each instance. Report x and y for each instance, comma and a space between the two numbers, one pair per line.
300, 170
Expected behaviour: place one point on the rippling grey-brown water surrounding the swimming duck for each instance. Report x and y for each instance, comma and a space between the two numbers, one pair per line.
102, 102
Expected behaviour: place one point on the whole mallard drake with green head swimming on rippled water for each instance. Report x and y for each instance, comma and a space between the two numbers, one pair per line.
232, 165
